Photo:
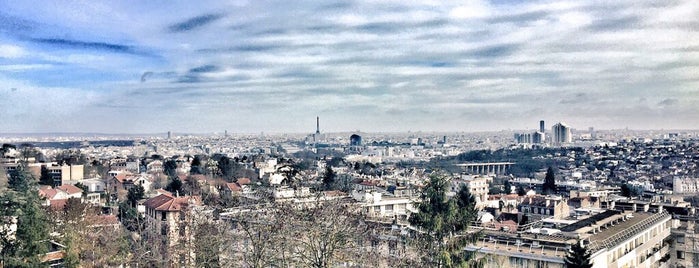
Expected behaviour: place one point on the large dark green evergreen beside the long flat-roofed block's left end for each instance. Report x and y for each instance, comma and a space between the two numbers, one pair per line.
444, 222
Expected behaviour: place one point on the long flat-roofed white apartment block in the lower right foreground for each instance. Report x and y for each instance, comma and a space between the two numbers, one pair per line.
616, 239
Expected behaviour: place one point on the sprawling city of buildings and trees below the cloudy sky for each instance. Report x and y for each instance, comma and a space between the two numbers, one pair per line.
546, 197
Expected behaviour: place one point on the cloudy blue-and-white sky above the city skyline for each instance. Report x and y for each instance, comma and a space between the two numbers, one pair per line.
374, 66
